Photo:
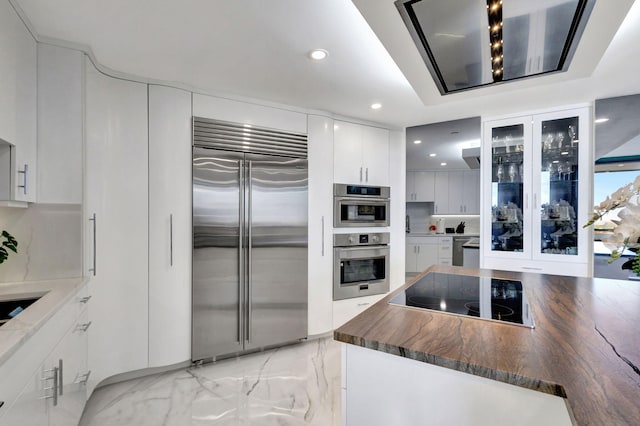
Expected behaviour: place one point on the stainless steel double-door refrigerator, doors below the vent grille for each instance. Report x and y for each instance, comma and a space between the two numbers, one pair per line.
249, 251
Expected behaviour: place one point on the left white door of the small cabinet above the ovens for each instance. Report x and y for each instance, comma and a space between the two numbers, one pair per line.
347, 153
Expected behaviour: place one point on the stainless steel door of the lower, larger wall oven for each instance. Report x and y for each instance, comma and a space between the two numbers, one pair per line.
360, 271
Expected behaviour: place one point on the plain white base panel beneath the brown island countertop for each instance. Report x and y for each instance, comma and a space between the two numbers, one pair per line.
388, 390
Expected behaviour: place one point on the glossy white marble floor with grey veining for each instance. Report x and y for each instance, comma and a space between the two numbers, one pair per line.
293, 385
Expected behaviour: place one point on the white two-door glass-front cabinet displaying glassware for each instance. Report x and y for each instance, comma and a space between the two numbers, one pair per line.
536, 192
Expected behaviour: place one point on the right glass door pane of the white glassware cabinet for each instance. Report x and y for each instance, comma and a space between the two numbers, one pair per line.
558, 191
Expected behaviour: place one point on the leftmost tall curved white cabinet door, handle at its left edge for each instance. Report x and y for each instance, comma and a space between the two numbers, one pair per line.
116, 242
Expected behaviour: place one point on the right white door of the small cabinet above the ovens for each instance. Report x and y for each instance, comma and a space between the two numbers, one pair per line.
375, 155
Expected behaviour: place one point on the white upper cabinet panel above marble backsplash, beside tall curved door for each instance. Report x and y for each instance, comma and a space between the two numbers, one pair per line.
60, 124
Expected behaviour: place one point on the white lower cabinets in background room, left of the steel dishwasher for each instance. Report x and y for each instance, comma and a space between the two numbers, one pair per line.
423, 252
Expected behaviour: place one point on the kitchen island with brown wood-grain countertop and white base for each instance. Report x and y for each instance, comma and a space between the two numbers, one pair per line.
583, 352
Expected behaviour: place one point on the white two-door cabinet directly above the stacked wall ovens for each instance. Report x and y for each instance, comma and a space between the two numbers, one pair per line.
360, 154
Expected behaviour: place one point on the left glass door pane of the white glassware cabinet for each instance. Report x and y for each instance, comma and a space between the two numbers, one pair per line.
507, 180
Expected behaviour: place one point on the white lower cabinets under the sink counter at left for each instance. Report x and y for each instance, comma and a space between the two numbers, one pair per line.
47, 375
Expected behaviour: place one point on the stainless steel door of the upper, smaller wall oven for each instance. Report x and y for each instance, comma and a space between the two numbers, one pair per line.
352, 212
